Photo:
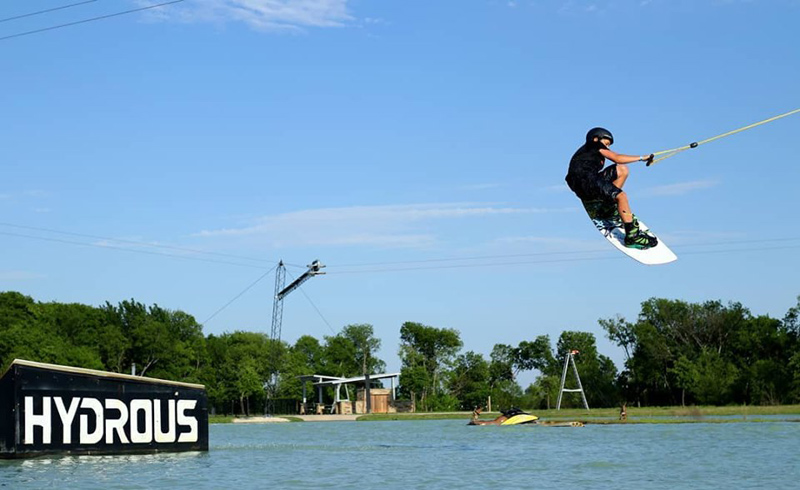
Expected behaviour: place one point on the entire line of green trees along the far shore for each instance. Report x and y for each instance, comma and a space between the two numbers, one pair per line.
675, 353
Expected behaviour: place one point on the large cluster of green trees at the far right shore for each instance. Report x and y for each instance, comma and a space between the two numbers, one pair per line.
707, 353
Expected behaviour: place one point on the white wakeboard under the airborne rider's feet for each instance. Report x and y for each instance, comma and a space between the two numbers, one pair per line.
608, 222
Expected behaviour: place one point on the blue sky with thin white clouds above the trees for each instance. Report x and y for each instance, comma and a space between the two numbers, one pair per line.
384, 135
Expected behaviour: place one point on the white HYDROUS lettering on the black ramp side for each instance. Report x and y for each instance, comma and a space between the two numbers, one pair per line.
139, 421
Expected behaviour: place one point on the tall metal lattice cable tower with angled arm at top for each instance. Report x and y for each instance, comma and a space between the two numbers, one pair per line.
271, 386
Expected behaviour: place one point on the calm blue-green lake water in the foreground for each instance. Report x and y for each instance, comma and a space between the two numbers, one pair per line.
445, 454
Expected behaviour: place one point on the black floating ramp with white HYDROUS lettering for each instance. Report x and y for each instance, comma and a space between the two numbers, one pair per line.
52, 409
